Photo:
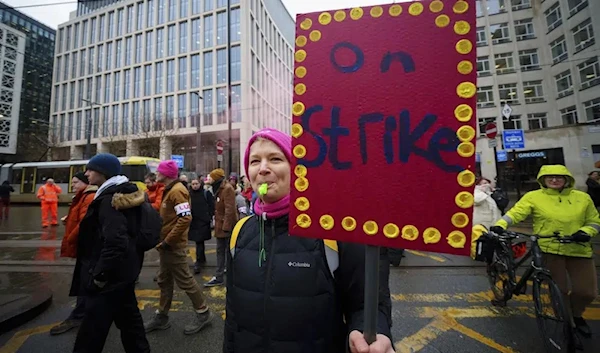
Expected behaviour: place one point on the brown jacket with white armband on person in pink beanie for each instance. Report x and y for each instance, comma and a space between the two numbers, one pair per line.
176, 215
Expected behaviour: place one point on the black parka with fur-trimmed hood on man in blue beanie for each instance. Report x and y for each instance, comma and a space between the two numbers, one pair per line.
107, 251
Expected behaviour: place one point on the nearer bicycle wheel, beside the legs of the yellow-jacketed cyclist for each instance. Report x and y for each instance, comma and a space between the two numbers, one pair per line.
552, 316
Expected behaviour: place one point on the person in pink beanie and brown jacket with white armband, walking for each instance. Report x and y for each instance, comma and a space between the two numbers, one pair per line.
176, 215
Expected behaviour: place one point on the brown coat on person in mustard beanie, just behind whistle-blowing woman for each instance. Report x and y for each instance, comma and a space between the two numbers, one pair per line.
225, 209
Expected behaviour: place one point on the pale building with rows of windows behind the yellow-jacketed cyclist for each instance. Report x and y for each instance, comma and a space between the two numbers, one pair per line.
541, 57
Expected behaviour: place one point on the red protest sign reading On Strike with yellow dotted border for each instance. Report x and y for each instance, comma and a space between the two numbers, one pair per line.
384, 127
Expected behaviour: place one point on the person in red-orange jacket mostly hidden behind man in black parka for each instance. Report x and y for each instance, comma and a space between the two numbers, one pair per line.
84, 195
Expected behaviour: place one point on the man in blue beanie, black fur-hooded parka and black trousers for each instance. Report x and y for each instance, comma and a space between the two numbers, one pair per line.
109, 260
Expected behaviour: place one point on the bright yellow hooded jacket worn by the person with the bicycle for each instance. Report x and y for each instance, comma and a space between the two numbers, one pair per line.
565, 211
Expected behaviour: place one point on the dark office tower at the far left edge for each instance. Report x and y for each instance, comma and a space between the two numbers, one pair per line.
32, 108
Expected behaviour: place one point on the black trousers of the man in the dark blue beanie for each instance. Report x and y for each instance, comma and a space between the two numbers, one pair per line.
101, 310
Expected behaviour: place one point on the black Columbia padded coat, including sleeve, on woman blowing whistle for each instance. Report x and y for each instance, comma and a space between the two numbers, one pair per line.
293, 303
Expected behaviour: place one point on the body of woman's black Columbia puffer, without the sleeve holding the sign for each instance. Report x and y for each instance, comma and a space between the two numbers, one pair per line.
288, 304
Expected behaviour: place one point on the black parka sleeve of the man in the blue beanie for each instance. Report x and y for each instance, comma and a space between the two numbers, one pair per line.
115, 240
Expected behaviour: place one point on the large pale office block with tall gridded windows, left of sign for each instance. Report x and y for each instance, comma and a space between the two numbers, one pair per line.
143, 73
